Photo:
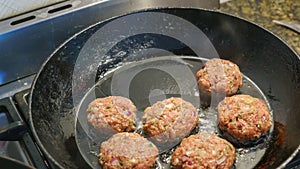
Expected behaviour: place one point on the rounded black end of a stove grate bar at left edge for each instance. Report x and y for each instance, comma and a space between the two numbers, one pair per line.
13, 131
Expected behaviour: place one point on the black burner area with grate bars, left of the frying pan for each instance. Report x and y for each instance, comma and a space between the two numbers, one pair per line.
14, 109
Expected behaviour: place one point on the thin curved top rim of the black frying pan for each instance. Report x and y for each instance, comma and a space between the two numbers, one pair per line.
34, 132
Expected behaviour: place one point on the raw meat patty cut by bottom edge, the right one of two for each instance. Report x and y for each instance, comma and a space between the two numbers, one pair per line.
203, 151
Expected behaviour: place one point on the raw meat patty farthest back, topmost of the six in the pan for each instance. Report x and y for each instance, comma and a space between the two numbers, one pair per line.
219, 75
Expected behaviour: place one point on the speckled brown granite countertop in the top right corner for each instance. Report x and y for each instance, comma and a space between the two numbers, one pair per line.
263, 12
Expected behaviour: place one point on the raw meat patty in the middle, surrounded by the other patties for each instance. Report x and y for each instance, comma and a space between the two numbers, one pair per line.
170, 119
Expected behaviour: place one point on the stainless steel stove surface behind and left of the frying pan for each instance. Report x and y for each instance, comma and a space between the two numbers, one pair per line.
26, 42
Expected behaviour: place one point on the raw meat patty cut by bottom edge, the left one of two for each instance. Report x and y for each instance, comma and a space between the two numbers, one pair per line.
127, 150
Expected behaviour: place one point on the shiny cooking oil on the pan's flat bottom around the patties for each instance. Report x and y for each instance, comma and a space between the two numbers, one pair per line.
157, 75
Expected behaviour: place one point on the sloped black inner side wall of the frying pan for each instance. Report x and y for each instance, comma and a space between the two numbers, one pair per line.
75, 67
